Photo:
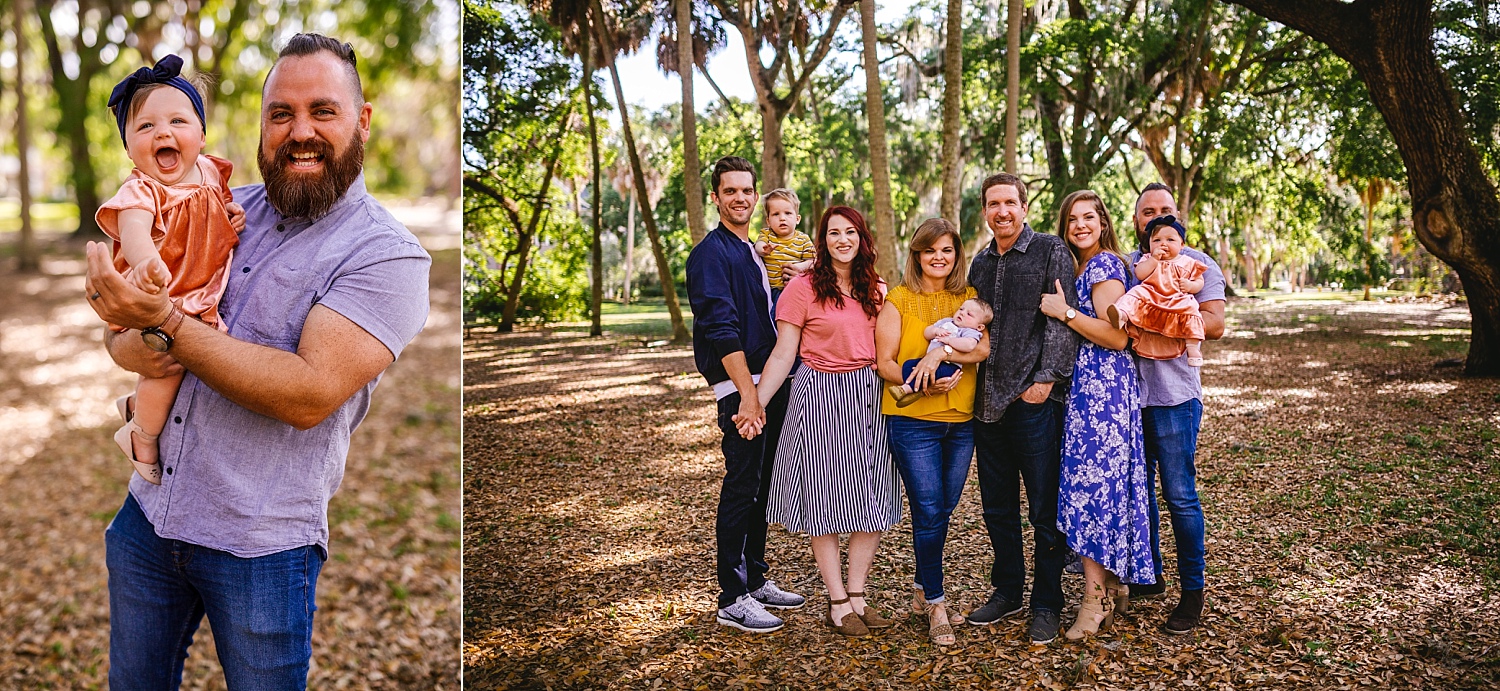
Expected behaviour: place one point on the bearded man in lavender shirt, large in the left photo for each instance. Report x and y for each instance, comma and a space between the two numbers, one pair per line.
326, 290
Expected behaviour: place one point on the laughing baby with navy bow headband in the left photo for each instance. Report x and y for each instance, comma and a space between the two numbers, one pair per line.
172, 229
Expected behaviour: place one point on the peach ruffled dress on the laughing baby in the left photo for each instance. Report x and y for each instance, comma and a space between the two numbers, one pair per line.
191, 232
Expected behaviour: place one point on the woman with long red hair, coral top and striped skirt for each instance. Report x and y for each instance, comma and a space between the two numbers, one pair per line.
833, 471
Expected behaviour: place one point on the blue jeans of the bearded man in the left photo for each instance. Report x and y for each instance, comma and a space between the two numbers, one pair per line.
160, 590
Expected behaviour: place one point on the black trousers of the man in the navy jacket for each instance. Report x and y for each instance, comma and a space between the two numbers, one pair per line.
740, 527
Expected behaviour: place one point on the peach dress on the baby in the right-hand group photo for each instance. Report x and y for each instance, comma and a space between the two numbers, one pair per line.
1162, 317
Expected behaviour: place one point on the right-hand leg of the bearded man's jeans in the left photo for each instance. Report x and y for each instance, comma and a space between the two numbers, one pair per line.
262, 614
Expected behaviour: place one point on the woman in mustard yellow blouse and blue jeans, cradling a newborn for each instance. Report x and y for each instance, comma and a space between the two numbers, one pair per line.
934, 438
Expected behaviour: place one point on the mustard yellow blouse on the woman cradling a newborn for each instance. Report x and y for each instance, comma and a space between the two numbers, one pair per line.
920, 311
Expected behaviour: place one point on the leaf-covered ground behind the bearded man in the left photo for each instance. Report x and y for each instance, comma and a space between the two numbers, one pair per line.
388, 599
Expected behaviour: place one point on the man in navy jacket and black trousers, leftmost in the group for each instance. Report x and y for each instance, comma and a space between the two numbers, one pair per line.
734, 332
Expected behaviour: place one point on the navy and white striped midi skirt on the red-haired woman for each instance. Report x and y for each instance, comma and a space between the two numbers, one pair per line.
833, 470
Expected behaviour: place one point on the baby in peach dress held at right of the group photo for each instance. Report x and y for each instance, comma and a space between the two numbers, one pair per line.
1162, 313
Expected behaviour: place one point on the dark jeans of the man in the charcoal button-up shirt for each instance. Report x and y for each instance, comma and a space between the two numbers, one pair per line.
1025, 446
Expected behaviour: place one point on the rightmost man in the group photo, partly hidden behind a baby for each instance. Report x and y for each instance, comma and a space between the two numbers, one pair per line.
1172, 408
